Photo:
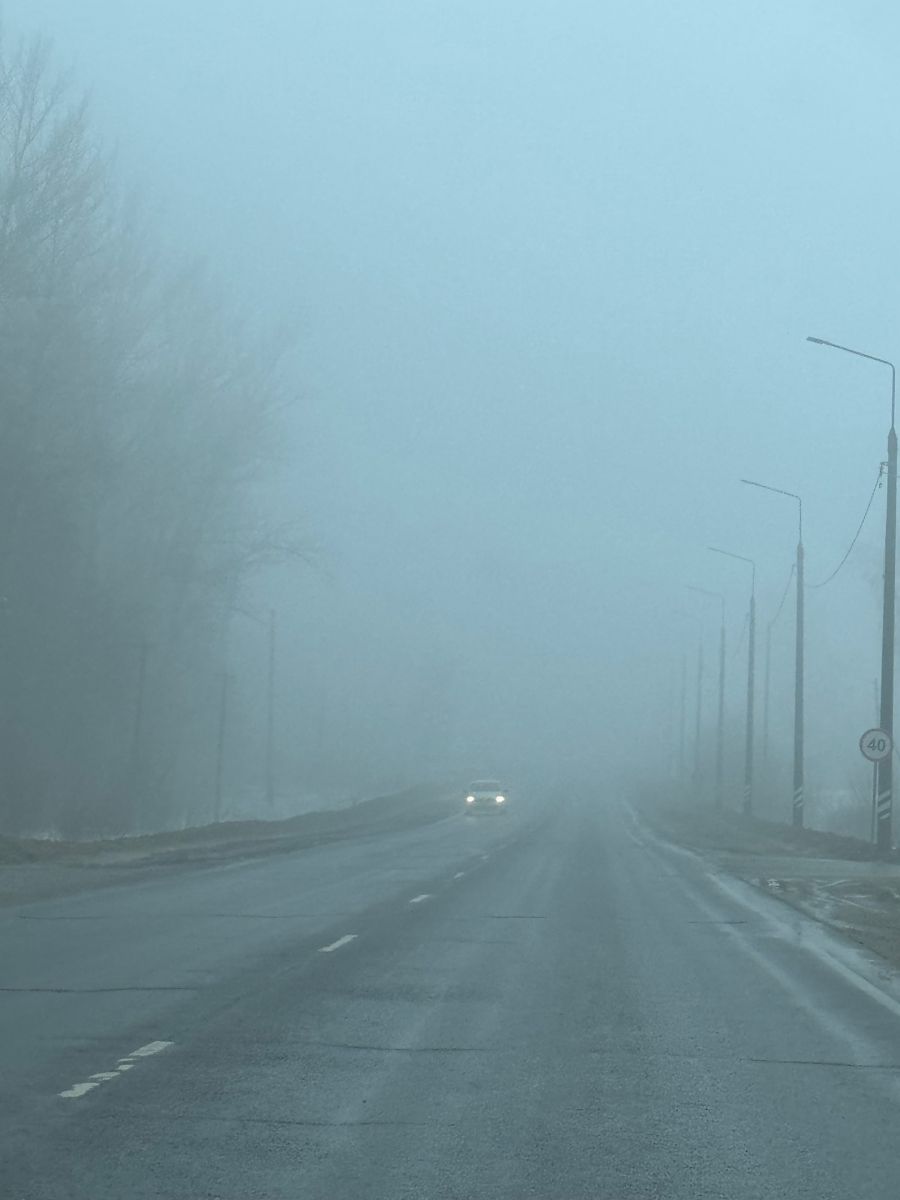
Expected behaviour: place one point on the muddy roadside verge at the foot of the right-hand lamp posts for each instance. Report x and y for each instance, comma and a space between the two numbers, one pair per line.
842, 883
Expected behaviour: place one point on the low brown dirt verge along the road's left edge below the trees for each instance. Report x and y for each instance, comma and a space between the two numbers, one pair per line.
38, 869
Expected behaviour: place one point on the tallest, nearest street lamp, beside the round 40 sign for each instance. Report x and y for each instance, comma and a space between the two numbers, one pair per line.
886, 767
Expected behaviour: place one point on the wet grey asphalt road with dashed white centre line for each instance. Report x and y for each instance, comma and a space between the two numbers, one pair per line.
554, 1006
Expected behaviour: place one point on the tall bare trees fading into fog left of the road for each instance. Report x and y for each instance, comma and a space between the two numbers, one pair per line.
135, 415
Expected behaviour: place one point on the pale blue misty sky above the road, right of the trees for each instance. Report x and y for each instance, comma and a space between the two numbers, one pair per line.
554, 266
